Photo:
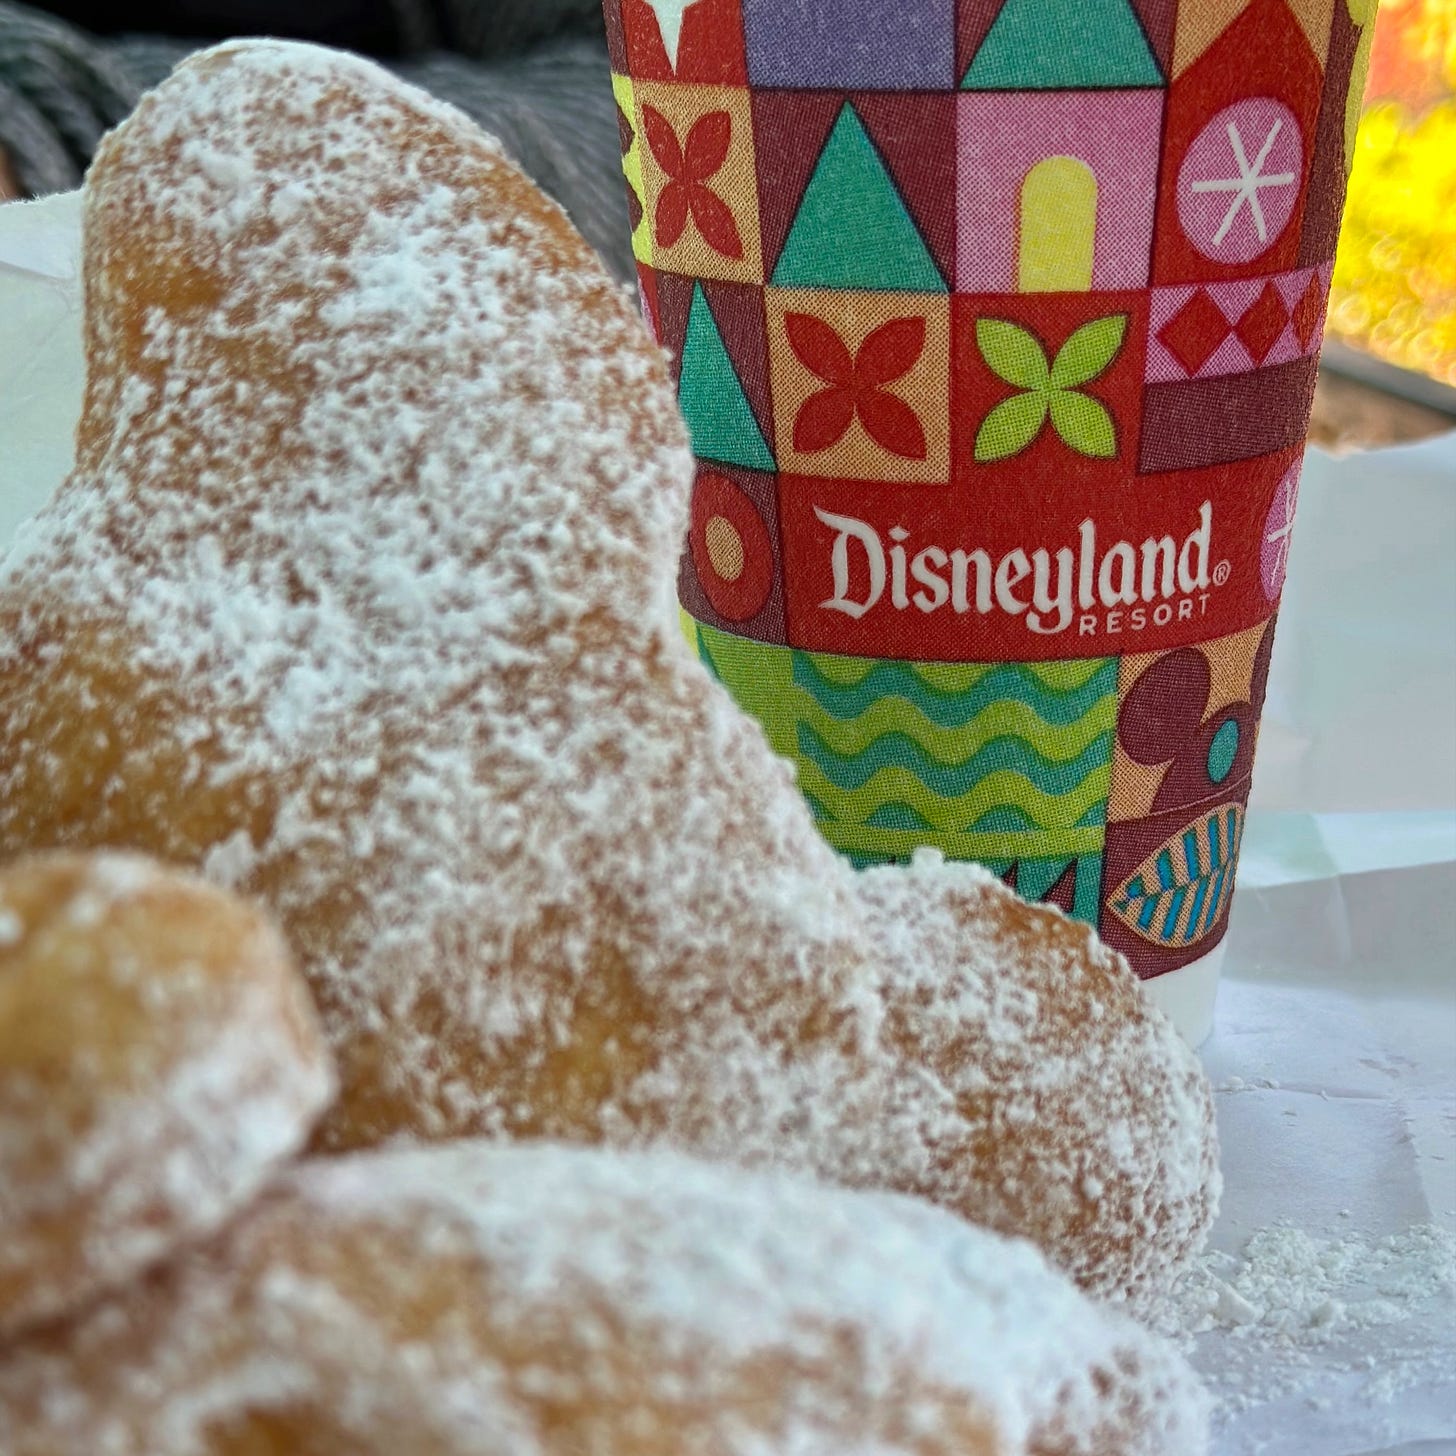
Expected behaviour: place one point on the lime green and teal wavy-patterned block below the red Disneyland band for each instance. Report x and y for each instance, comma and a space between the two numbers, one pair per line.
1004, 764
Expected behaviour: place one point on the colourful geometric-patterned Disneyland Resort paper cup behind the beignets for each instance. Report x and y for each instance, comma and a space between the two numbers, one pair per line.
997, 327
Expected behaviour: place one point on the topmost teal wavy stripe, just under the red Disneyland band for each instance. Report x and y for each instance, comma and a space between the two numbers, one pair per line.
994, 687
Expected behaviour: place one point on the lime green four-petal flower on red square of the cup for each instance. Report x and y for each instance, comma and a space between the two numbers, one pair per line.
1017, 356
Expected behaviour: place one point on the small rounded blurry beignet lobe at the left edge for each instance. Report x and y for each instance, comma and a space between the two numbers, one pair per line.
159, 1059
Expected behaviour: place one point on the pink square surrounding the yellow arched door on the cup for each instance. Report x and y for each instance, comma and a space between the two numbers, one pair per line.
1002, 136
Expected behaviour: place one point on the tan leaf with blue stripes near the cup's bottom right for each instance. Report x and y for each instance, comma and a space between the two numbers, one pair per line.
1179, 895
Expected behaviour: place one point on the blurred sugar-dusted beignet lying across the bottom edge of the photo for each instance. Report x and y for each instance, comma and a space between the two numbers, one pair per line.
877, 1326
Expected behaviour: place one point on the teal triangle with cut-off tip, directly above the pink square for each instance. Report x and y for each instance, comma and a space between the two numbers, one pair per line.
1062, 46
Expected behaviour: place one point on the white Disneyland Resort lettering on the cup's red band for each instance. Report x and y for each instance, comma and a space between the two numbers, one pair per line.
1113, 589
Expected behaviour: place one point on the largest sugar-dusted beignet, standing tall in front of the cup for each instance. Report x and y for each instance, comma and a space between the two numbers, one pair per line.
360, 599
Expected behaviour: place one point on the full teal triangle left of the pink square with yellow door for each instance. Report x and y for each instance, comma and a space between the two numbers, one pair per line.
852, 229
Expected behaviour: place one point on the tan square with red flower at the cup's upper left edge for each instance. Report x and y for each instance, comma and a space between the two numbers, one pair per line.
698, 170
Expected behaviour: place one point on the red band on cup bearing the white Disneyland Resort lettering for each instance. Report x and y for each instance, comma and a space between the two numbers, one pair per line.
1067, 570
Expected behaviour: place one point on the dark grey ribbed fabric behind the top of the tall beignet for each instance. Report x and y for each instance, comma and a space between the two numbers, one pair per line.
531, 72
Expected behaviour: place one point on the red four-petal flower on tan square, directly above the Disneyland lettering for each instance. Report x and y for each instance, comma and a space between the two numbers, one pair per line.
857, 387
